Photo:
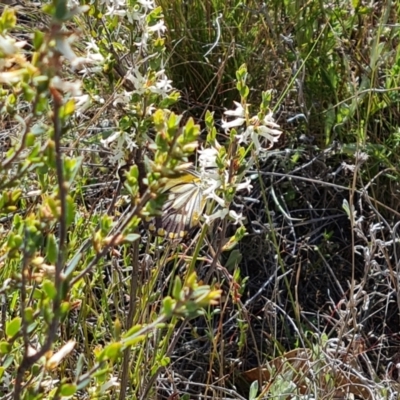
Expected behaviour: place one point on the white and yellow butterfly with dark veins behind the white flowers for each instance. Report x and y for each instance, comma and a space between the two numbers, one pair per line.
183, 208
